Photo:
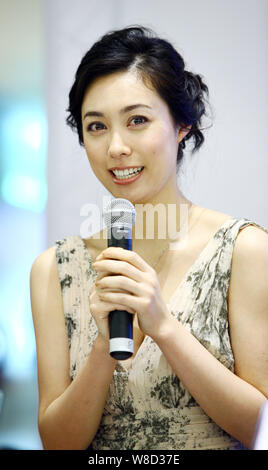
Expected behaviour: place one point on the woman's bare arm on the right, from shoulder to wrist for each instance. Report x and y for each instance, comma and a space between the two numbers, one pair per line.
233, 401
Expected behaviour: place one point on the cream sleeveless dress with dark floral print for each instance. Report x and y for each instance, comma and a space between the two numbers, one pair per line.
147, 406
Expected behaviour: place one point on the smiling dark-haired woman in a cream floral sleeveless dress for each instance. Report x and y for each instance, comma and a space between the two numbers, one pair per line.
197, 378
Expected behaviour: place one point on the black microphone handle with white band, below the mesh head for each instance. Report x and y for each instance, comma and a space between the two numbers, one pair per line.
121, 321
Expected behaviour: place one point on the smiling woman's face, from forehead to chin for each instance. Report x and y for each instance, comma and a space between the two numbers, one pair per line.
140, 137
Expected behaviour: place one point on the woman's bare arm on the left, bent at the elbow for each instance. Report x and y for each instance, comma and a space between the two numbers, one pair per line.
69, 412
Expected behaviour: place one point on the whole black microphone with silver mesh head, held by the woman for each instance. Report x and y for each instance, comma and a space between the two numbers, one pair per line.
119, 216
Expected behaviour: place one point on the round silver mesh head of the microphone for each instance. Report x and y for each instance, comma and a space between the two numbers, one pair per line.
119, 212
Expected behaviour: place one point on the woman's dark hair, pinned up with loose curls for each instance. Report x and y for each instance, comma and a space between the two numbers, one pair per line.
157, 63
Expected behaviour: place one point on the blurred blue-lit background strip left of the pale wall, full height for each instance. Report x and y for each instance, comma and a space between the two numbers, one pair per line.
23, 198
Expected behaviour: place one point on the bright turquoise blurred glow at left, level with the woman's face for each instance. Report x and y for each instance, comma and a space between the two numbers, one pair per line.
23, 134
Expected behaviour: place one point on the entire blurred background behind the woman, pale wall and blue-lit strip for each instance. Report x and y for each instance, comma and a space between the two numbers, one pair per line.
45, 178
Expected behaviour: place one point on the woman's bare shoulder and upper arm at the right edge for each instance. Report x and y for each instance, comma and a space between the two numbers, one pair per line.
248, 306
